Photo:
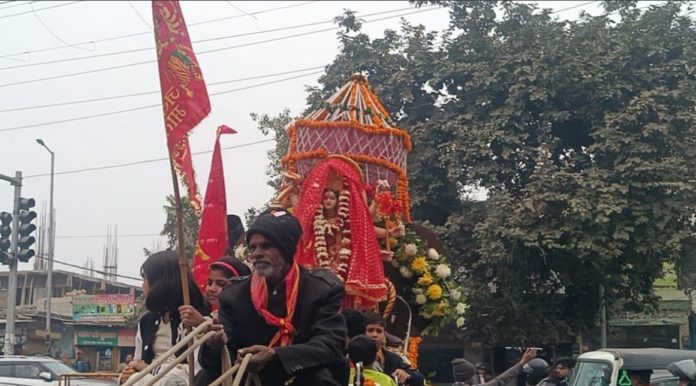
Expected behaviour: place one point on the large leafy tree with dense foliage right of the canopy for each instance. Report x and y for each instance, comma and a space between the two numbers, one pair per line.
582, 133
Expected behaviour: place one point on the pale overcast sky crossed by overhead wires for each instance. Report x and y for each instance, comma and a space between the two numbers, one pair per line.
131, 197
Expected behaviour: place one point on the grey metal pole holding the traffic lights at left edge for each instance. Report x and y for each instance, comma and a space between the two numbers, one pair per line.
12, 284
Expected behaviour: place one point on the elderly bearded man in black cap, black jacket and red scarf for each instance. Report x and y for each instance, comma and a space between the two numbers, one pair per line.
286, 316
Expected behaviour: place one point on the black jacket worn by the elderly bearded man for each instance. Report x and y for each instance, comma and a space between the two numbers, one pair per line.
321, 329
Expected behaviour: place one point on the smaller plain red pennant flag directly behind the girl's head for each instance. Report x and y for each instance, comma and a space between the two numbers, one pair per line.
212, 237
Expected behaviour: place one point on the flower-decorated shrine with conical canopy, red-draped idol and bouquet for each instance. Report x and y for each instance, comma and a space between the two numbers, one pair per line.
345, 179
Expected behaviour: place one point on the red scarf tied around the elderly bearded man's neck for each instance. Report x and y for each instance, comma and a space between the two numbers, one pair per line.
259, 297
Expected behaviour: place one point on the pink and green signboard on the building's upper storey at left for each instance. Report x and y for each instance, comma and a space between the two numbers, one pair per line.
103, 308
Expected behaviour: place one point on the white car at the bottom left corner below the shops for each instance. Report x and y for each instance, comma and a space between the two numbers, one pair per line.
40, 371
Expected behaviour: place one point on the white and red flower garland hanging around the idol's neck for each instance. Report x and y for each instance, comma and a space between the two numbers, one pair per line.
322, 227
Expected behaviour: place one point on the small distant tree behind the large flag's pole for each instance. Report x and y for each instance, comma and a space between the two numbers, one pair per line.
191, 226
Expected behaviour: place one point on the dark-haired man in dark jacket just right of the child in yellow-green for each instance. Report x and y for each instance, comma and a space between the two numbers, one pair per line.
389, 362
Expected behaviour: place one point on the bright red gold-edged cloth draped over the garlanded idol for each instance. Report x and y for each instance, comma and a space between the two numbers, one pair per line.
364, 281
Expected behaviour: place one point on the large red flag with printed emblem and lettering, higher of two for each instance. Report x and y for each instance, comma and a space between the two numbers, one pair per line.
184, 95
